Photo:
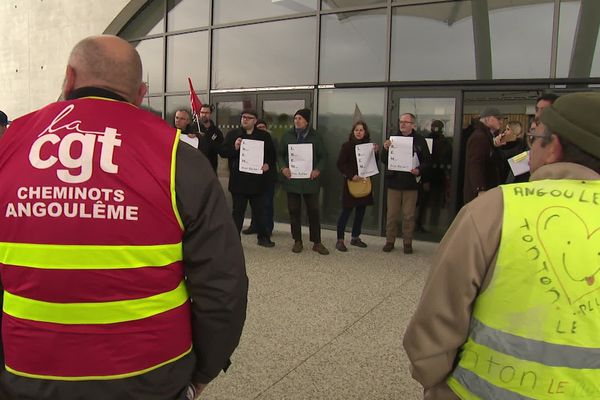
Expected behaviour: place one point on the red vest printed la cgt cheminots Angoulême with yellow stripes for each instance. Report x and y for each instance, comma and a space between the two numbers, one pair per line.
90, 245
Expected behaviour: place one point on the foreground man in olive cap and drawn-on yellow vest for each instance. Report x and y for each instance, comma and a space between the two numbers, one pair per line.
508, 309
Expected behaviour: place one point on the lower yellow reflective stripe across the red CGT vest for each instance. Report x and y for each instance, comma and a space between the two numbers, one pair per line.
107, 312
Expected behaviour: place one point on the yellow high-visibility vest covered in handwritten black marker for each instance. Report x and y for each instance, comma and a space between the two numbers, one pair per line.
534, 330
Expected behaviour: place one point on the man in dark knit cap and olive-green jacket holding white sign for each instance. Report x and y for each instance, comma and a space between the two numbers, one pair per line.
307, 188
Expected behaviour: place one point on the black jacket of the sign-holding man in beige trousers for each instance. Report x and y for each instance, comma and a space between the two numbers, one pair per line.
401, 180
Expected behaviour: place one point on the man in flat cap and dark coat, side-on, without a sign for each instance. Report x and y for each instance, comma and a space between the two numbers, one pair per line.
484, 166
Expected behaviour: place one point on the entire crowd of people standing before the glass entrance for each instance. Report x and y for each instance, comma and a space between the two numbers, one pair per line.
492, 141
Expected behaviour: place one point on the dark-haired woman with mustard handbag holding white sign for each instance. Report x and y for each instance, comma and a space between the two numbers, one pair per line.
351, 159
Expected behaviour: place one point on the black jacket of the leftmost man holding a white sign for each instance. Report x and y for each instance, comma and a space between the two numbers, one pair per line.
244, 182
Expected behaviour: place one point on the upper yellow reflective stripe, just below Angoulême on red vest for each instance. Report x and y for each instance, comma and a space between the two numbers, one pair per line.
53, 256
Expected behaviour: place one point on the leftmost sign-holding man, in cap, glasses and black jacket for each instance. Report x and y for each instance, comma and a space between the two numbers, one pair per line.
248, 180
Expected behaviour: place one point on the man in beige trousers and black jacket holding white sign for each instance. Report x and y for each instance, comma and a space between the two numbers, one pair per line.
402, 186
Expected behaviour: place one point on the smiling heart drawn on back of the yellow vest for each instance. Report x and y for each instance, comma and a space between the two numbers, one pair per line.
572, 248
